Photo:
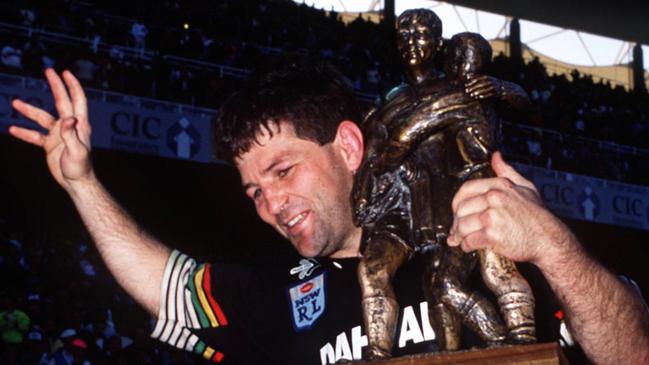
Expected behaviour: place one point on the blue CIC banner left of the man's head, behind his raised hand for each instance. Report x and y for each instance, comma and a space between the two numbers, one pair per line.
122, 122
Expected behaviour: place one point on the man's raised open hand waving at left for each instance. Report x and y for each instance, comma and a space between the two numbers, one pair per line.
67, 142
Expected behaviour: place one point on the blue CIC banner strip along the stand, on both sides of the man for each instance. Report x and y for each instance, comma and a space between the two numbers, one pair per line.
126, 123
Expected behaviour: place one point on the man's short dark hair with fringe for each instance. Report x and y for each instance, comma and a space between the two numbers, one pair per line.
313, 98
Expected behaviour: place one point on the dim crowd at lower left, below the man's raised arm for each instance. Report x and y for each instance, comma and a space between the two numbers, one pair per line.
59, 306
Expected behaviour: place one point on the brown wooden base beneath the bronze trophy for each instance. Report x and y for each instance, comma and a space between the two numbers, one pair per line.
537, 354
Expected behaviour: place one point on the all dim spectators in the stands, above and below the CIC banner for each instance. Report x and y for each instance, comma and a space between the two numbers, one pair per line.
182, 51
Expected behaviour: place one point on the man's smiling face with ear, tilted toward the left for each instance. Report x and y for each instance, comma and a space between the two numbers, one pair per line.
302, 189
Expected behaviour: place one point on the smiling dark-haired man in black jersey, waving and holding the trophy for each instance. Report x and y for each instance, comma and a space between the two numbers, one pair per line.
293, 139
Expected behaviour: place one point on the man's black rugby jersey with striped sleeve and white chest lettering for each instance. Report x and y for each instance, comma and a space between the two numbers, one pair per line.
297, 311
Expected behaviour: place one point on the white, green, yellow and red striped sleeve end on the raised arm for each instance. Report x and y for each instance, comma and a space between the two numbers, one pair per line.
187, 305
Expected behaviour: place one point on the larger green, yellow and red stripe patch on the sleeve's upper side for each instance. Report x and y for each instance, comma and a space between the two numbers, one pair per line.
208, 311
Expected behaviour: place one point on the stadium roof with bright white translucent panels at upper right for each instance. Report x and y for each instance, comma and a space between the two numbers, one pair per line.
596, 35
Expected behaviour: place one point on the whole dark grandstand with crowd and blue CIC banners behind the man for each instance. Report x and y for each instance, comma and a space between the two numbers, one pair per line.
582, 130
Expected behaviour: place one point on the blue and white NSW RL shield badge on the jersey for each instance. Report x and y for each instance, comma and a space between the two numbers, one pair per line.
307, 301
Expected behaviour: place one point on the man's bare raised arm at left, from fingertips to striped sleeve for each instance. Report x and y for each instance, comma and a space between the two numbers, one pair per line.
135, 259
